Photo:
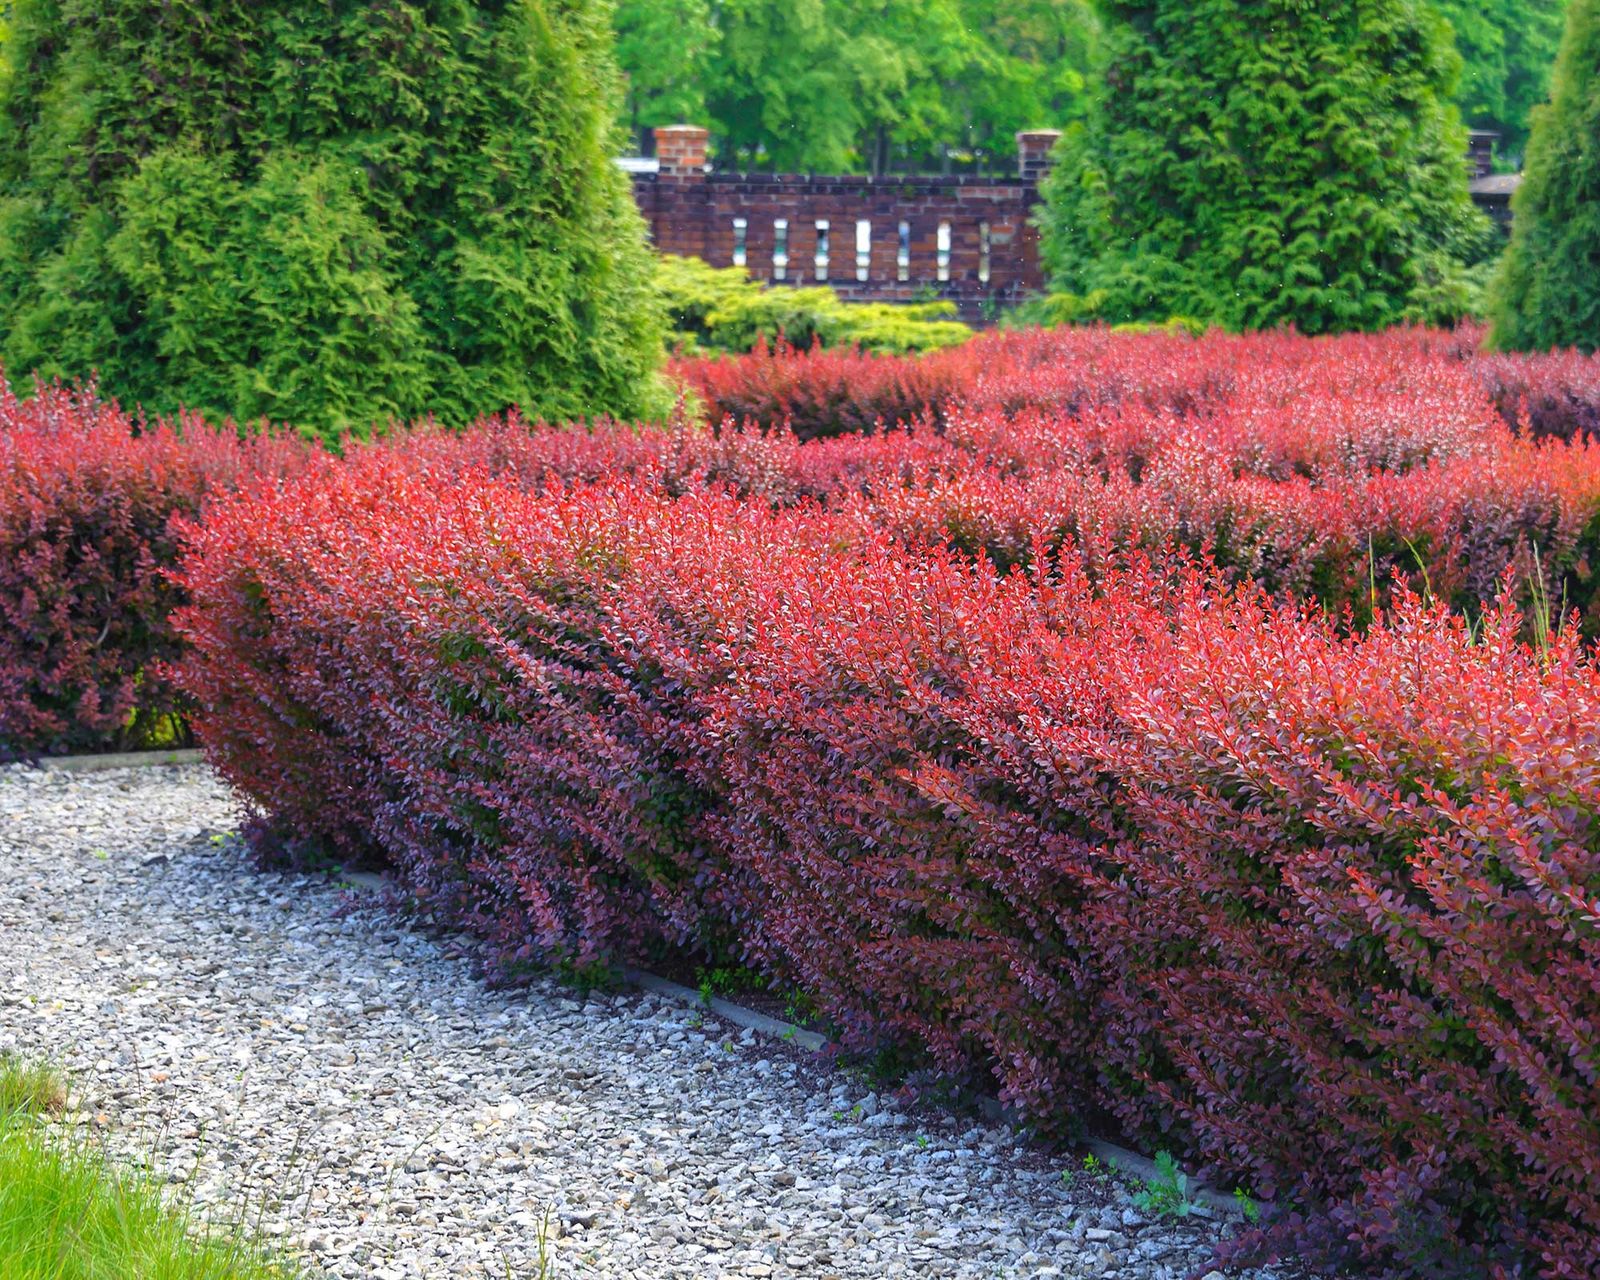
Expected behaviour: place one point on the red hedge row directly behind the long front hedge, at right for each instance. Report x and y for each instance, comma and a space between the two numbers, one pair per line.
1455, 529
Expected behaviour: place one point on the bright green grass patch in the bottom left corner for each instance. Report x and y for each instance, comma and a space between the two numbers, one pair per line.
70, 1214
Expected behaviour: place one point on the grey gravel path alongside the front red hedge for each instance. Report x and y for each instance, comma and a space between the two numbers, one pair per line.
271, 1041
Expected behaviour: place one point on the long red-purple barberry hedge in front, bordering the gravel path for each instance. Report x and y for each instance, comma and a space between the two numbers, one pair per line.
1316, 908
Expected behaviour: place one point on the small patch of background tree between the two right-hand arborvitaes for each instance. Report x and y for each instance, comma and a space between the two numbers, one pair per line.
1508, 52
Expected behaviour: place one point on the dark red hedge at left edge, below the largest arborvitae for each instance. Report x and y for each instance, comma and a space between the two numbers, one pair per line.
87, 508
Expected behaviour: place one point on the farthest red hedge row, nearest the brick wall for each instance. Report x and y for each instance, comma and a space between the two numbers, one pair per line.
820, 393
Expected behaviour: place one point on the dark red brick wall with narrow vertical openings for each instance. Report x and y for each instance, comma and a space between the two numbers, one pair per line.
887, 239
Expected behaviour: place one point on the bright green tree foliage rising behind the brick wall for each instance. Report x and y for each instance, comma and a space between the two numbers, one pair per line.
836, 87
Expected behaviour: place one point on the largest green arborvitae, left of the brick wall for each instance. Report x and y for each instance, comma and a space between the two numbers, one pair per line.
322, 212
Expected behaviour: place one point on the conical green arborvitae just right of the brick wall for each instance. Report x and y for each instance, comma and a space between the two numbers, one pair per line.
1270, 162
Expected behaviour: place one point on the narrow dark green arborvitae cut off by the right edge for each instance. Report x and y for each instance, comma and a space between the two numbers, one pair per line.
1548, 292
